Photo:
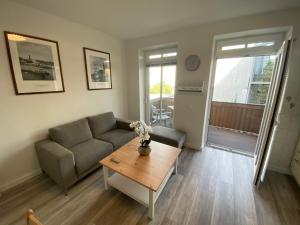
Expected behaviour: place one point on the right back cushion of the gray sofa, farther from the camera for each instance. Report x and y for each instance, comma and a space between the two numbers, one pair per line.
102, 123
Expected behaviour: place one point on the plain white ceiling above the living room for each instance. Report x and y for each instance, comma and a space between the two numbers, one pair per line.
135, 18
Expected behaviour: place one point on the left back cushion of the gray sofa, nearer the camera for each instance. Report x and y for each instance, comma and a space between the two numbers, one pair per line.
71, 134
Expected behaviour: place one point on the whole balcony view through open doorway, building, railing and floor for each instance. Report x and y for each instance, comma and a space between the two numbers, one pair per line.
239, 97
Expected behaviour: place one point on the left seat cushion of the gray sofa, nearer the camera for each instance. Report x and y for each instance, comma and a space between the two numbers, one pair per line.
89, 153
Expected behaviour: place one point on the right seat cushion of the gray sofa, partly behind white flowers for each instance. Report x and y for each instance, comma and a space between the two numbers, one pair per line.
117, 137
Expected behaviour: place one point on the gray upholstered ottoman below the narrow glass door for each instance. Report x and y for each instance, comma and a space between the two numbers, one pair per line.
169, 136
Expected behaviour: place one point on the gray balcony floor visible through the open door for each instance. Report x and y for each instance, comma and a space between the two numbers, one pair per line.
233, 140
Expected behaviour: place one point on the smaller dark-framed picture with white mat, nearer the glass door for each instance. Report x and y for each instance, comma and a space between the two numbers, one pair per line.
98, 69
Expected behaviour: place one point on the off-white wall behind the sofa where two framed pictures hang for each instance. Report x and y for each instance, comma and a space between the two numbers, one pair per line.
26, 119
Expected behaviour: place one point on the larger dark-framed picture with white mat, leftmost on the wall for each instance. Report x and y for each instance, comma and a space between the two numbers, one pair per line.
35, 64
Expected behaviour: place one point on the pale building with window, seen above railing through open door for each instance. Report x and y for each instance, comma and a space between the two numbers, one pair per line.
235, 76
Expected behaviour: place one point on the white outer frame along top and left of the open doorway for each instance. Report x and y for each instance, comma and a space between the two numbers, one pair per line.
287, 31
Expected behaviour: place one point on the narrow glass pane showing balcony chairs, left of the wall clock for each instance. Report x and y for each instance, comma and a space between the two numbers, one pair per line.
161, 89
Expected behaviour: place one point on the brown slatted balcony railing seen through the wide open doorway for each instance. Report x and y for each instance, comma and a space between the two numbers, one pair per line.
242, 117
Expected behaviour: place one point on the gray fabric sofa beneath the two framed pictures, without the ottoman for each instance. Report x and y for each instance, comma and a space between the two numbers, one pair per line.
75, 149
